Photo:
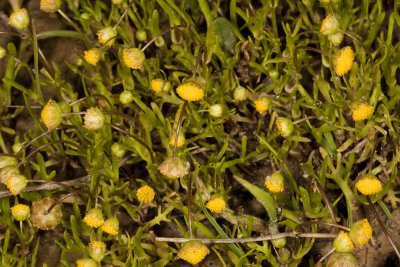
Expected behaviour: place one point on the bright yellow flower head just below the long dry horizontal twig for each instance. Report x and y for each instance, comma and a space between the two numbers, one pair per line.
193, 252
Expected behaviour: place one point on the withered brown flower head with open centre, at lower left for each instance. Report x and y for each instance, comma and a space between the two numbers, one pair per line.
42, 217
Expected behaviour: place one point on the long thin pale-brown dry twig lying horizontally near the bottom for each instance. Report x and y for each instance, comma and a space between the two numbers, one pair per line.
246, 239
